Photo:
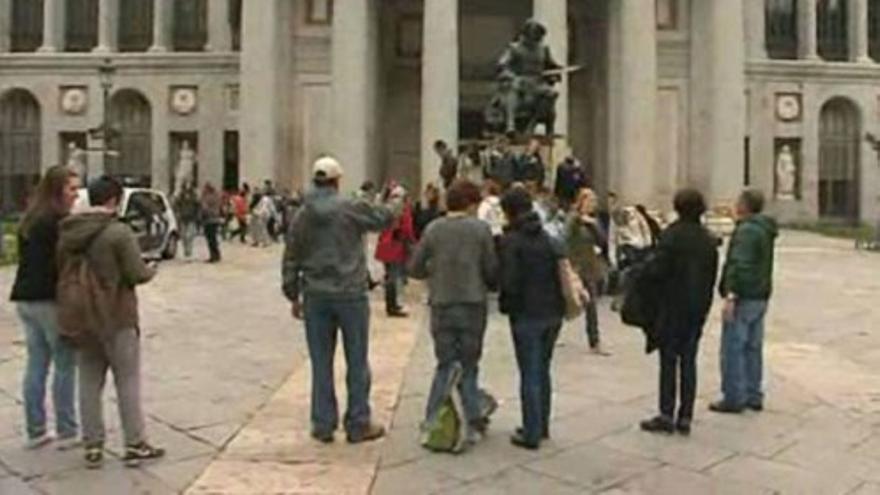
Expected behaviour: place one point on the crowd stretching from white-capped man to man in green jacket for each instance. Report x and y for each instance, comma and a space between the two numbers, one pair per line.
544, 254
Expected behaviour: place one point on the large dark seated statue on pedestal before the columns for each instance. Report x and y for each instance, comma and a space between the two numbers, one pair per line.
526, 76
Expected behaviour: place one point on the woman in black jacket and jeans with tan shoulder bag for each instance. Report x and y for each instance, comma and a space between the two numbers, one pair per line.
531, 296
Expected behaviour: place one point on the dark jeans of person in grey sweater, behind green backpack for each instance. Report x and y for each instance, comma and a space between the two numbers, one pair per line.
458, 332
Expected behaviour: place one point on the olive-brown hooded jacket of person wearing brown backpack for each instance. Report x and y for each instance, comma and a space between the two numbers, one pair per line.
115, 258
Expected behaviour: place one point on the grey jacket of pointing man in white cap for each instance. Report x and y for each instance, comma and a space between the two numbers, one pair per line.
324, 253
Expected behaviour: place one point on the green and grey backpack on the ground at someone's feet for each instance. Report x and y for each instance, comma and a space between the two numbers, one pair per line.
446, 431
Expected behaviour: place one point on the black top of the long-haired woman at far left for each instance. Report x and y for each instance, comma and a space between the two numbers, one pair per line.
37, 273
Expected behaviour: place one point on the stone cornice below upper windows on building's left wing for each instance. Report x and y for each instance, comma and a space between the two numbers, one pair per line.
127, 63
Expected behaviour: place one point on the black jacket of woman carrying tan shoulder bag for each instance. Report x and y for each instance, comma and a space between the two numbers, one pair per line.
530, 286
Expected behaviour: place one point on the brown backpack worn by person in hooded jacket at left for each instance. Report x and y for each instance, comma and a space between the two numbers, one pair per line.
79, 287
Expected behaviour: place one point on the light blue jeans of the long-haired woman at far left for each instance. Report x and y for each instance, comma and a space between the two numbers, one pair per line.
45, 348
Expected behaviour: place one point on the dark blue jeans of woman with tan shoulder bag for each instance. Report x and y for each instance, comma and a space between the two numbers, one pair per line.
534, 341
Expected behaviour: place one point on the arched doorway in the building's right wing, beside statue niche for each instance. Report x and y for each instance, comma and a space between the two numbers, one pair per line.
839, 160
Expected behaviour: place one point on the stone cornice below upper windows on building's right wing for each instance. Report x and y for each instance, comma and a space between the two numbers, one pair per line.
814, 71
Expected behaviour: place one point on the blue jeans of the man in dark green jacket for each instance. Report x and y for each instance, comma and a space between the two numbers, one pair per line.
742, 345
